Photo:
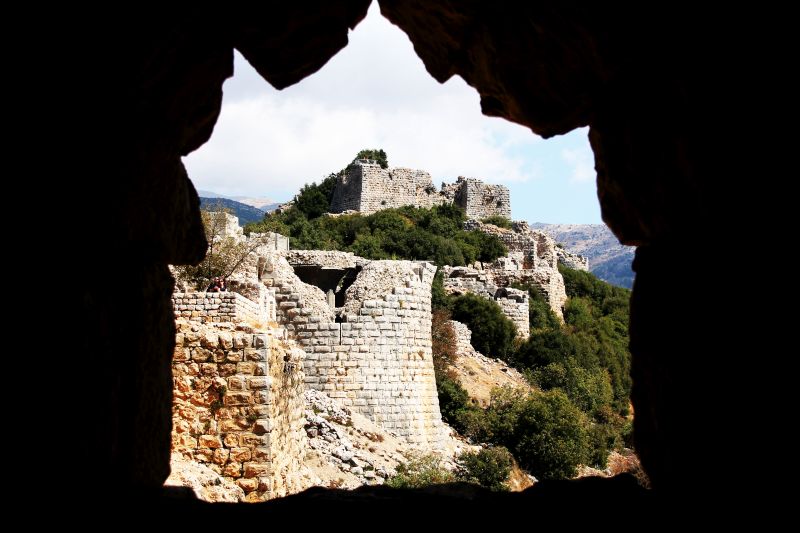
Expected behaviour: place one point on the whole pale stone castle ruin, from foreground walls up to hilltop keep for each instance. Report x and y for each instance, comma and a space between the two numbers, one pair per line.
354, 329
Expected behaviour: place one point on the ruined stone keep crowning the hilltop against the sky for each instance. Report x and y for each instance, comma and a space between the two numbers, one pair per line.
366, 187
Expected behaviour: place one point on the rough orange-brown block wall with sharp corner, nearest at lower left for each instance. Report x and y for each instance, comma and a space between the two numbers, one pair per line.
238, 406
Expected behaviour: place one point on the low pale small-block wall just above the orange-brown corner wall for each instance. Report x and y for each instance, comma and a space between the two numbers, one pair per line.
222, 307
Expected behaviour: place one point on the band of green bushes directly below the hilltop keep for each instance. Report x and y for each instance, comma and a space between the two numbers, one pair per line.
434, 234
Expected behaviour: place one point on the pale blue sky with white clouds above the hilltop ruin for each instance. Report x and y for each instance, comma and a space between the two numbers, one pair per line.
375, 93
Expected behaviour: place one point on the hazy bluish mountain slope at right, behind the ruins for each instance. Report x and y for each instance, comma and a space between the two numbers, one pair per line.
608, 259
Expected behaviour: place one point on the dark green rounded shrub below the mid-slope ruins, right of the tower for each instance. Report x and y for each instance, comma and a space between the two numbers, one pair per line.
492, 333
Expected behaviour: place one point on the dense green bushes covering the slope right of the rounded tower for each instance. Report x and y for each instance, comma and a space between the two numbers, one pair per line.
582, 368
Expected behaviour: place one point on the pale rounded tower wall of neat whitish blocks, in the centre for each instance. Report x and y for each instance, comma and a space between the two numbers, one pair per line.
378, 361
